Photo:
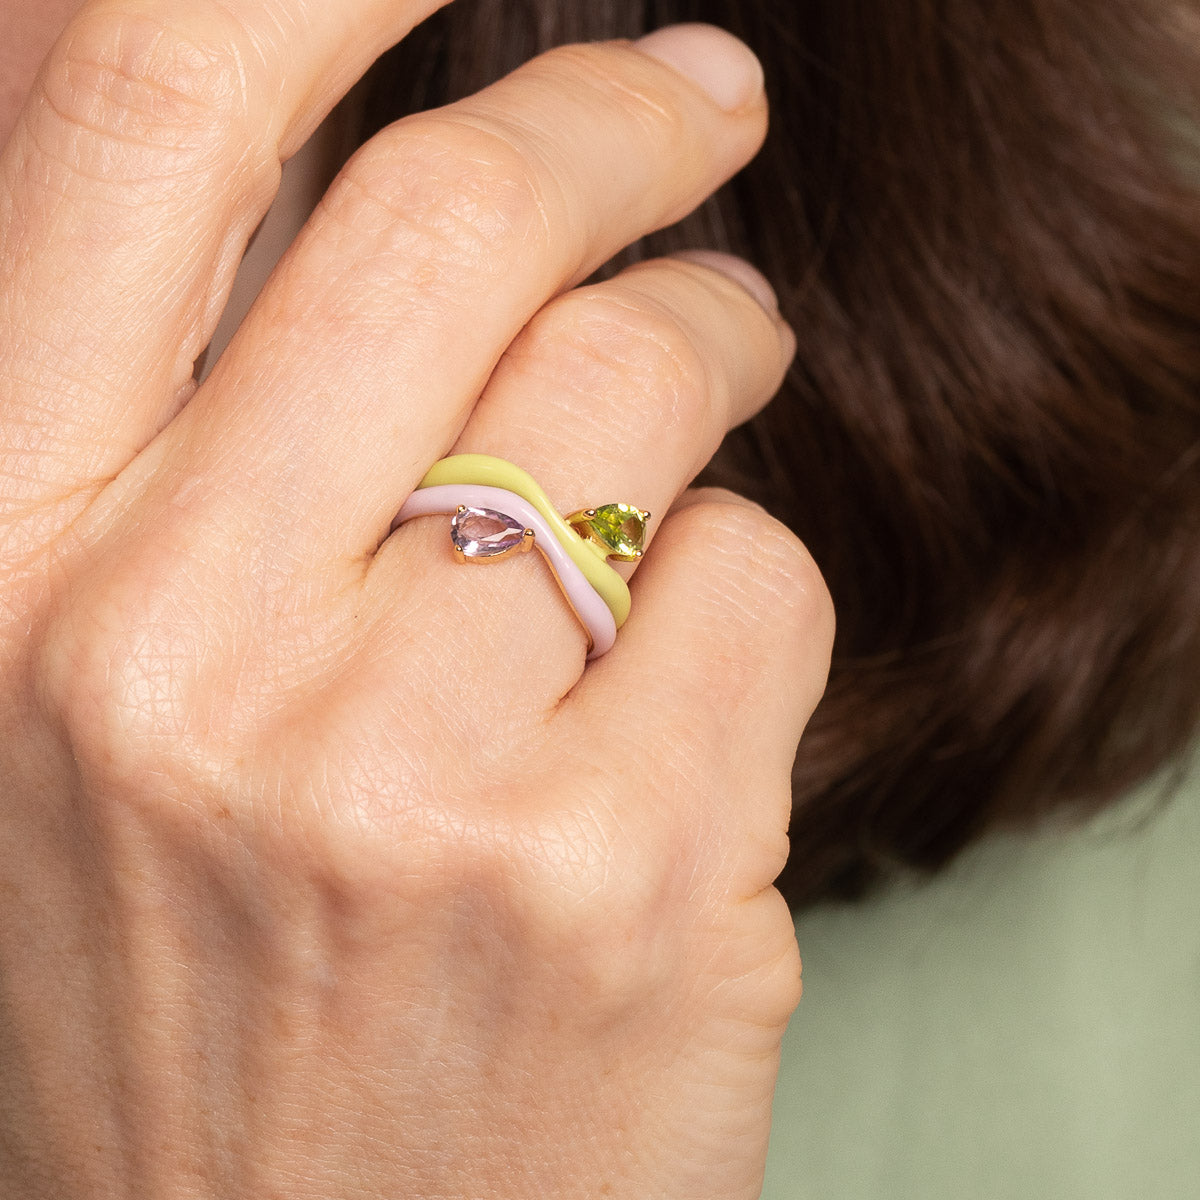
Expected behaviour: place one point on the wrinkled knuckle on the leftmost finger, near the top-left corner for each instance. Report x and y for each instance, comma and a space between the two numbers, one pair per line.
151, 88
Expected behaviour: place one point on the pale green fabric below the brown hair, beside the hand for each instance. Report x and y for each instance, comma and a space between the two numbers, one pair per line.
1027, 1028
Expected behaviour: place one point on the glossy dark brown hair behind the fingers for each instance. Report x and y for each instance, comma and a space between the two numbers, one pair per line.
980, 220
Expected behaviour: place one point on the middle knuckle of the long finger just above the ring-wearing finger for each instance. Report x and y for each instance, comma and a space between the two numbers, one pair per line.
439, 196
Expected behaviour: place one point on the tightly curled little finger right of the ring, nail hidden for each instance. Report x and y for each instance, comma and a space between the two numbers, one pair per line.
727, 652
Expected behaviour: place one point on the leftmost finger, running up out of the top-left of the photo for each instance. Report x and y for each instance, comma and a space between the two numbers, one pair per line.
149, 151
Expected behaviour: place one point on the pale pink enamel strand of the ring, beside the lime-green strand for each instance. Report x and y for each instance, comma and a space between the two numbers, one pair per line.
595, 615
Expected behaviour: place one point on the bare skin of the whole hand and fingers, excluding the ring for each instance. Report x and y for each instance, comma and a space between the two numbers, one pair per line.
328, 868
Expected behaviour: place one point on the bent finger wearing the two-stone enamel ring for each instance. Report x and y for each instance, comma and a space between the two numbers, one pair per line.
615, 393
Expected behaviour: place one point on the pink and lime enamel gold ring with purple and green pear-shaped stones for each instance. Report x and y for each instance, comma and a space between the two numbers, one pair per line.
500, 511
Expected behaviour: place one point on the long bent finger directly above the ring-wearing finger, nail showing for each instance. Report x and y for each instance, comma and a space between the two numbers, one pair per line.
368, 350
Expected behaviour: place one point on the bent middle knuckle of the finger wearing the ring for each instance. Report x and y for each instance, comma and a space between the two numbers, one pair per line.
605, 341
